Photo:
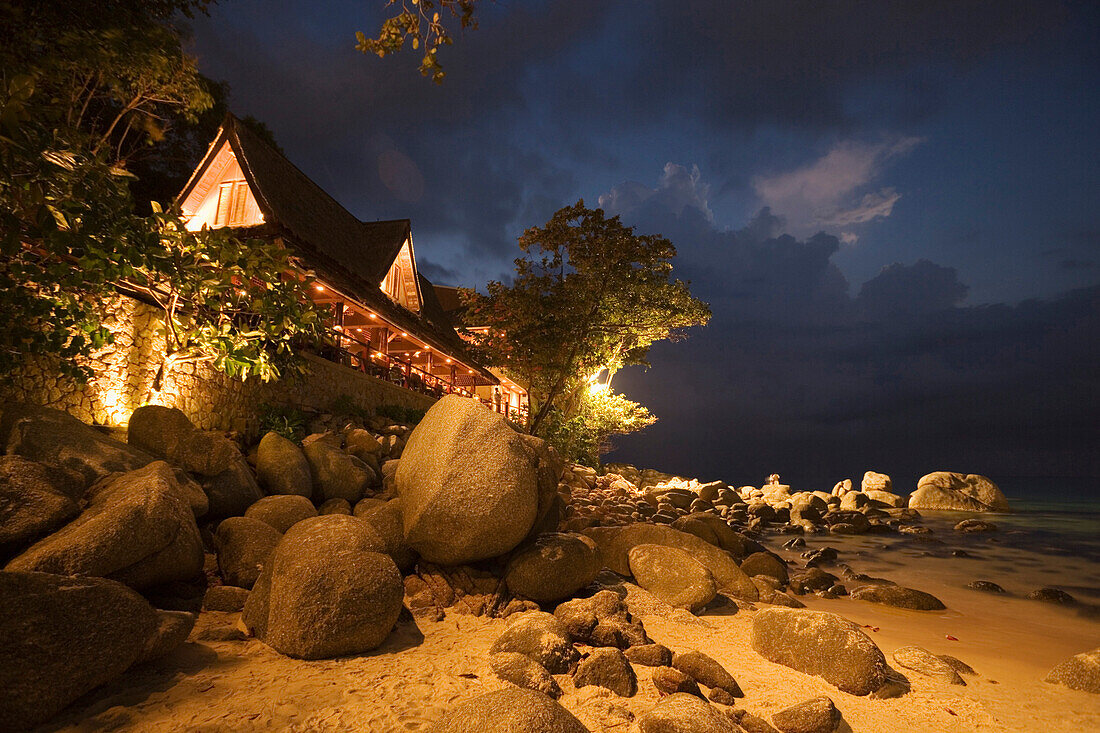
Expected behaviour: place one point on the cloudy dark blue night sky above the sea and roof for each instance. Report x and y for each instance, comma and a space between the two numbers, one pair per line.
894, 209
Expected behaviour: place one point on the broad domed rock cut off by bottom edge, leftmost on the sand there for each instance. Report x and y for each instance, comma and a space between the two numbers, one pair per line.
510, 710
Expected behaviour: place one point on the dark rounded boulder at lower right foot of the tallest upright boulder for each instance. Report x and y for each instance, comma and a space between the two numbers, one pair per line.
554, 567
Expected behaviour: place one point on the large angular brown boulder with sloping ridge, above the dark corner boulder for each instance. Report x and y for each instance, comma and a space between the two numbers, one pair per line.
138, 529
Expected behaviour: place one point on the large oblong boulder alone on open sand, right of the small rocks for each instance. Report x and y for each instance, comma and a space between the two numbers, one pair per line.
821, 644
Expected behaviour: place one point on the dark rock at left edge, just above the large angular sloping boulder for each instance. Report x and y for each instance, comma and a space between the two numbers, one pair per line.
32, 502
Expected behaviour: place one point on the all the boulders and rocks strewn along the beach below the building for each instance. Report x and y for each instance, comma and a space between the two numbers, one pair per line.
320, 548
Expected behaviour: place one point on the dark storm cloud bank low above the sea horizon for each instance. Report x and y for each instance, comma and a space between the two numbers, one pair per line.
796, 376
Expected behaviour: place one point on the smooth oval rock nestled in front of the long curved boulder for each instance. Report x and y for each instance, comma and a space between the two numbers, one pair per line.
673, 576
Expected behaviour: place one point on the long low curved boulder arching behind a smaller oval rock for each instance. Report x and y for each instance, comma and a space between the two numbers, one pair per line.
615, 545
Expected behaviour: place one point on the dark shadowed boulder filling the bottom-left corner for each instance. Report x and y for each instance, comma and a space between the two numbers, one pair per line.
61, 638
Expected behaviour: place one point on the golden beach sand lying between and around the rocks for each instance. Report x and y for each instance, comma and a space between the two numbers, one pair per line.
427, 668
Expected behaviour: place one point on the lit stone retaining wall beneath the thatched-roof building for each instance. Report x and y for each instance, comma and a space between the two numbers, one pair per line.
125, 373
